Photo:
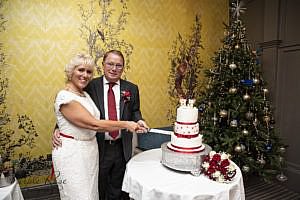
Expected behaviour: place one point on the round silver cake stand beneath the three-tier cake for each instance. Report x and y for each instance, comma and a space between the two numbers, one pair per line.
188, 162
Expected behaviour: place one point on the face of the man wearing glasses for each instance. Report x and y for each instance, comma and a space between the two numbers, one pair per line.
113, 67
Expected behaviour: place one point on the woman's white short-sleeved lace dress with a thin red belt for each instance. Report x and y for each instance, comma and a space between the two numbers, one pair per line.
76, 163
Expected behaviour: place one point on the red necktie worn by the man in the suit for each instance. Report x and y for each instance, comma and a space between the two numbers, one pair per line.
112, 112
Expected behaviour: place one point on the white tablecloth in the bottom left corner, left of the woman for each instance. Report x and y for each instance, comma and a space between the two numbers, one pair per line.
11, 192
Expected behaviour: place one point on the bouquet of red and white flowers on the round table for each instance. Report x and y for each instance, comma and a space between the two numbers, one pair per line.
217, 166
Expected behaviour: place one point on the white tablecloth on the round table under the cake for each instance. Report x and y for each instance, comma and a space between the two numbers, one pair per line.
147, 179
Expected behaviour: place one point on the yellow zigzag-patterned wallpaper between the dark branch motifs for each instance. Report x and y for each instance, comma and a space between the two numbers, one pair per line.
41, 36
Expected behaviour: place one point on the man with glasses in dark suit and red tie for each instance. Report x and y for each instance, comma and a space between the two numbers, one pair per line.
116, 150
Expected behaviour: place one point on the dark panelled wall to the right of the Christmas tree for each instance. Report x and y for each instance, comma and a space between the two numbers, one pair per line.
274, 25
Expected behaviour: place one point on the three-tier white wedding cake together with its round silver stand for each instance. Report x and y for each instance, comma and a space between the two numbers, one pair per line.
185, 151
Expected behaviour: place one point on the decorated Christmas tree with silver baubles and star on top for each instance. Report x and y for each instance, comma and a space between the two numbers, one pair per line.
236, 111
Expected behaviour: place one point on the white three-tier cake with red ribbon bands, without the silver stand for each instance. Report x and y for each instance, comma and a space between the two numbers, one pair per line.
186, 137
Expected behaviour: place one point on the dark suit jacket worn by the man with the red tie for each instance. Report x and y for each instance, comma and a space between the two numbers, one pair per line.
129, 111
